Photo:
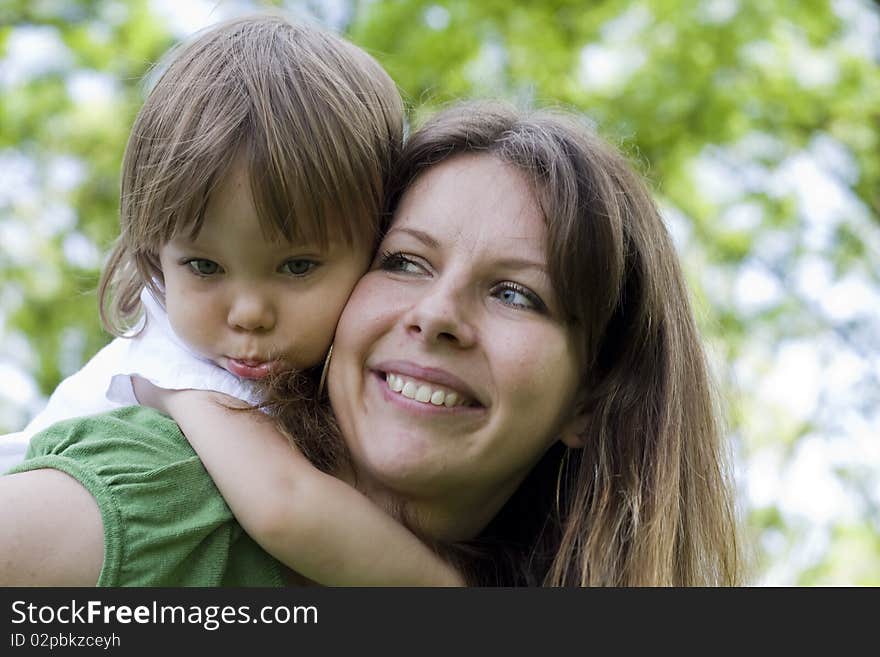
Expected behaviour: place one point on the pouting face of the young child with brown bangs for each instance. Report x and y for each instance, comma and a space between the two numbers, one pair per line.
250, 304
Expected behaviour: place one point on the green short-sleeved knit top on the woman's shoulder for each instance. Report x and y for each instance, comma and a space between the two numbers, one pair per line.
165, 523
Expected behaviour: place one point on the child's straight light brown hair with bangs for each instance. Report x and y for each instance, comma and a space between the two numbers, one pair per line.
317, 121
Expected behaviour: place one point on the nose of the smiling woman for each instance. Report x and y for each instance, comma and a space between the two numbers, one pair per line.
442, 316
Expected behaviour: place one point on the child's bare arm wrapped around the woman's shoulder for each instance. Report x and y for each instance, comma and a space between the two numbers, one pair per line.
314, 523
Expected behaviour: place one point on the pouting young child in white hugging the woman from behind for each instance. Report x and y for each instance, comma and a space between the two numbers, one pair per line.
252, 187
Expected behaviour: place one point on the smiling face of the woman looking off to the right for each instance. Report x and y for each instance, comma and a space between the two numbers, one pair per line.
453, 371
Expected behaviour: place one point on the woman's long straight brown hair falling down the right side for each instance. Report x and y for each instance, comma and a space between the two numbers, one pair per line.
649, 498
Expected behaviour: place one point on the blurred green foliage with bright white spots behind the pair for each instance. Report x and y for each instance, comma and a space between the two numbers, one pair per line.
727, 106
